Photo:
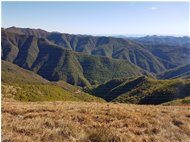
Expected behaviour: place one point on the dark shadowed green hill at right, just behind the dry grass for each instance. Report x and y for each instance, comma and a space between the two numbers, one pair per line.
142, 90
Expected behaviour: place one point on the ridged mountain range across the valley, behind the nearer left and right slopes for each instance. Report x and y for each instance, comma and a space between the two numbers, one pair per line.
58, 56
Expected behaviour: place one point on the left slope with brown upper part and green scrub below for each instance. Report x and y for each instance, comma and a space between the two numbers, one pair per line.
24, 85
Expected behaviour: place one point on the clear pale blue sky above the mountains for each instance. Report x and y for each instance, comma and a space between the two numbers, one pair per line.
100, 18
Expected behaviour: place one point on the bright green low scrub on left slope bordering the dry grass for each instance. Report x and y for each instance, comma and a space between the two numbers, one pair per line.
44, 92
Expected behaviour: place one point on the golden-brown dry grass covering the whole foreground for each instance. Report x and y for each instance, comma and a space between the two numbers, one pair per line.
93, 122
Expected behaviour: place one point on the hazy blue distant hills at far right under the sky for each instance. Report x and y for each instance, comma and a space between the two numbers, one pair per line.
170, 51
